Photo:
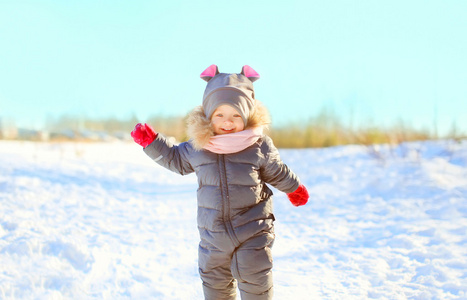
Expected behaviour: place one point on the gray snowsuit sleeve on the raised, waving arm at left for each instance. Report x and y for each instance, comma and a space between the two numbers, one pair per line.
170, 156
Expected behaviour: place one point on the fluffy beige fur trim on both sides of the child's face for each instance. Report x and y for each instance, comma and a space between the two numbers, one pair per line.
199, 129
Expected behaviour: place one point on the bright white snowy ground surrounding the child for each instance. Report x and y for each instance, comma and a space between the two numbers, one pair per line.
102, 221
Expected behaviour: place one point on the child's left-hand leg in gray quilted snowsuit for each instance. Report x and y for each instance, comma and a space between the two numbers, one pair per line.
214, 269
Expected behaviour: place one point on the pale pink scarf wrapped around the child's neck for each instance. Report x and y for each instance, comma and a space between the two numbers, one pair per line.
233, 142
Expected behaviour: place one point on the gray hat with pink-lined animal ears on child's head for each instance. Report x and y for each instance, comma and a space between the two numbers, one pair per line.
234, 89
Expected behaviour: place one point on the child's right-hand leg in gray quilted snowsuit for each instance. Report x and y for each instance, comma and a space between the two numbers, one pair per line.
252, 267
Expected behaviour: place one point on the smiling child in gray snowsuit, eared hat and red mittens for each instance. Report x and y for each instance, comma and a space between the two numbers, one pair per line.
233, 161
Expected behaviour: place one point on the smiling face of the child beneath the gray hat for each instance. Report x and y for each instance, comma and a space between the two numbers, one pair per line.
226, 119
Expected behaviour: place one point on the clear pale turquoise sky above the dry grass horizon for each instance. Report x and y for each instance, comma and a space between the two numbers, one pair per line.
369, 61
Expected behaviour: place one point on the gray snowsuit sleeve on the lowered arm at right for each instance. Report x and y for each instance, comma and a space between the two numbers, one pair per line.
274, 171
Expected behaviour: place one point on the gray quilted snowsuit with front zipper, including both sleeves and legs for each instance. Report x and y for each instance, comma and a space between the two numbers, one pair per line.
235, 212
